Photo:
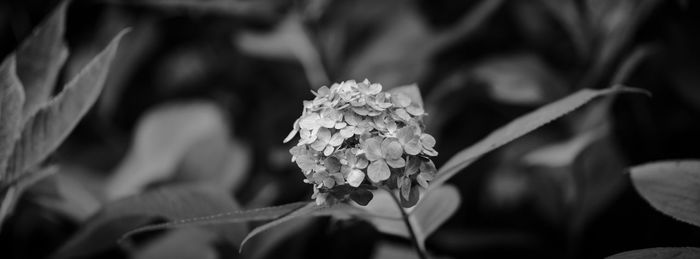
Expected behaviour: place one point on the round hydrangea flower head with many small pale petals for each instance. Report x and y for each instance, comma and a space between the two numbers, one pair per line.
354, 137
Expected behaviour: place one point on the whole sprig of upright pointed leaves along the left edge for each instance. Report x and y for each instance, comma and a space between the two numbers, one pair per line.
35, 123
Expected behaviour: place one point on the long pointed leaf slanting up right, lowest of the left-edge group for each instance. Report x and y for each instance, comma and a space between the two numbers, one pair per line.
50, 125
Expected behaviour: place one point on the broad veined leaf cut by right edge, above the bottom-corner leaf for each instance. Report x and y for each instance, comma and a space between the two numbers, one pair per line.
671, 187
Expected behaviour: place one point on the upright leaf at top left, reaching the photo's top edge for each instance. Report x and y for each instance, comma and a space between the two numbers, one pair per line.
40, 58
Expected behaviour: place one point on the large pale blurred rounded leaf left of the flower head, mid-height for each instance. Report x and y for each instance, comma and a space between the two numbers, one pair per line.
192, 137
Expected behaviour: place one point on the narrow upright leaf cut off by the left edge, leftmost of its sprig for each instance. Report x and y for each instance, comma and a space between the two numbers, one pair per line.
11, 100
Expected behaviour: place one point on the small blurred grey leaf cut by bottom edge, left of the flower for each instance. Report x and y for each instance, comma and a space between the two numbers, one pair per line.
182, 243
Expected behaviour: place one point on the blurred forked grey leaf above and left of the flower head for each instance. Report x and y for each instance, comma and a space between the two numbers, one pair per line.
288, 40
